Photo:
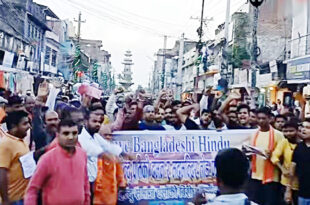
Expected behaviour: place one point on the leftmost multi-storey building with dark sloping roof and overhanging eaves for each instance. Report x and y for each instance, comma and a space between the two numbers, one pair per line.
22, 43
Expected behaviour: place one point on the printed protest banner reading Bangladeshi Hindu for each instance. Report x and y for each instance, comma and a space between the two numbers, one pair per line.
173, 166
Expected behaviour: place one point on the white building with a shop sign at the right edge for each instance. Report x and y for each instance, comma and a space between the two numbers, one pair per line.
298, 62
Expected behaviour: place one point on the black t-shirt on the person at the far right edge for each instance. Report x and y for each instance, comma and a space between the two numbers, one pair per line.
301, 157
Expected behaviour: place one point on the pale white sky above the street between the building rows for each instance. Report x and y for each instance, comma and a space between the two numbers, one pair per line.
140, 26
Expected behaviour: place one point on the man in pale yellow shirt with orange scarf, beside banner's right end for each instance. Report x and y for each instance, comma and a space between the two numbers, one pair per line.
264, 187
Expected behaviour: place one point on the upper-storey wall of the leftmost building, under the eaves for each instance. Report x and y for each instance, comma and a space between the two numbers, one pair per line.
16, 22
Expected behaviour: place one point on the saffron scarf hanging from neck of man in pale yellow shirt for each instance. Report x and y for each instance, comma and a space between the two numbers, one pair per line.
269, 167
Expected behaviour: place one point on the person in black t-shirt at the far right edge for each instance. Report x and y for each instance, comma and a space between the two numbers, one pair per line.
301, 165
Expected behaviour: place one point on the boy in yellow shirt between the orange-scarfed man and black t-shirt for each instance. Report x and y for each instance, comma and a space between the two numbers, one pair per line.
284, 152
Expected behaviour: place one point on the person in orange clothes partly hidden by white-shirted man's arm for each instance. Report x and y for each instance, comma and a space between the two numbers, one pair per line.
110, 176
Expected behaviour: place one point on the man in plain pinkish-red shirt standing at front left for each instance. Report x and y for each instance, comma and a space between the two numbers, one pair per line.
61, 173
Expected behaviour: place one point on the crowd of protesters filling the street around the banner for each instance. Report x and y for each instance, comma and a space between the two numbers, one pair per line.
78, 164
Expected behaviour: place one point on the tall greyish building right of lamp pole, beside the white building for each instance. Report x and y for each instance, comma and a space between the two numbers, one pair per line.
274, 30
